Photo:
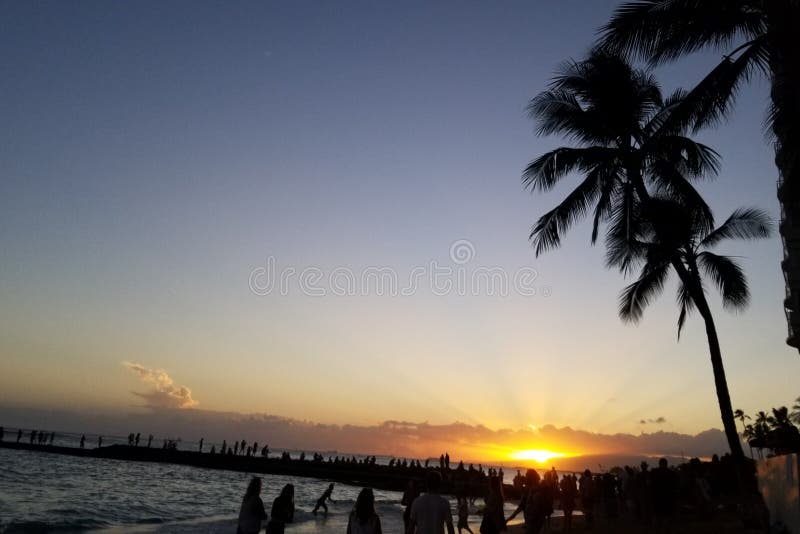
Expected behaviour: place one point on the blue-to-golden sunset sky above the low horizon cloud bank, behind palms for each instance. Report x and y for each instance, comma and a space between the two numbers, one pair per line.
295, 209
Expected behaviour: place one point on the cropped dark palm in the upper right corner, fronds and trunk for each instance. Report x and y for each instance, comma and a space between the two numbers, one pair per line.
761, 37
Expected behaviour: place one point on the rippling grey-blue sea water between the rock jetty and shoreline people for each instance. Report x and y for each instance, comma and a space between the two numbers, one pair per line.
44, 492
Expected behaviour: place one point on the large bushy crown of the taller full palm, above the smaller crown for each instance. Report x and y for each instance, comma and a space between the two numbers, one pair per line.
625, 140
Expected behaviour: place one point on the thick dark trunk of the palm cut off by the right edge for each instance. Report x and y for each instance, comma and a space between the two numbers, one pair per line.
783, 19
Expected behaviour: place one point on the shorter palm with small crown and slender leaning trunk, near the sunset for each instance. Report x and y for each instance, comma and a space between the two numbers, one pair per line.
672, 239
